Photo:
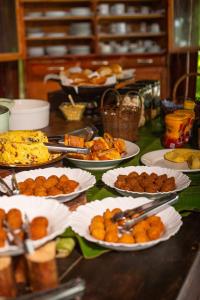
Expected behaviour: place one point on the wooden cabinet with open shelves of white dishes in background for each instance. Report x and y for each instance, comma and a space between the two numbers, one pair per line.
60, 33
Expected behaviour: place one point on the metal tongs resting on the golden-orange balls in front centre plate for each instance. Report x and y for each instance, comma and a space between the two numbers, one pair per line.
139, 213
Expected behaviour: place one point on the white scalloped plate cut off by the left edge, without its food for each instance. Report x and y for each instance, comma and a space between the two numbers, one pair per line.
56, 213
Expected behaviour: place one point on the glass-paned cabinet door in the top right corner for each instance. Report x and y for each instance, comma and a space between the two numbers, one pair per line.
184, 25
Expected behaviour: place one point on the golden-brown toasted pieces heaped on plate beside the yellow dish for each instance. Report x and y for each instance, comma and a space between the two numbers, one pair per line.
102, 148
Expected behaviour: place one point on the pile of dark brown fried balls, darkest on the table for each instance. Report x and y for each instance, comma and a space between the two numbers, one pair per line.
149, 183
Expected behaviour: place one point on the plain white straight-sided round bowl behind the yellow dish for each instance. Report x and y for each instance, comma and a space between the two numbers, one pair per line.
29, 114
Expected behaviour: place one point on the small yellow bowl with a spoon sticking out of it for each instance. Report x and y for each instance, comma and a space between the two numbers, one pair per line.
73, 112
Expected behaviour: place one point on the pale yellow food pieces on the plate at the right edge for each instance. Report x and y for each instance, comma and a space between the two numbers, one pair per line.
192, 157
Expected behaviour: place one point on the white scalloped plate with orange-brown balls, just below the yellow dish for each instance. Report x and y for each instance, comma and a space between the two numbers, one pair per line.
56, 185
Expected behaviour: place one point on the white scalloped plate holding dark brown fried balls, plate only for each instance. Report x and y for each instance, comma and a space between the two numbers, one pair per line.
182, 181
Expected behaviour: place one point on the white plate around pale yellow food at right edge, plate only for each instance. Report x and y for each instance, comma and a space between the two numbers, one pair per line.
156, 158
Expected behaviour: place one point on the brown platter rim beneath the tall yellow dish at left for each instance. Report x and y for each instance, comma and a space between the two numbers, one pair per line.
53, 159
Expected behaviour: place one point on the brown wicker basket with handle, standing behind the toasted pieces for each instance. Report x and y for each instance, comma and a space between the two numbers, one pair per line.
119, 118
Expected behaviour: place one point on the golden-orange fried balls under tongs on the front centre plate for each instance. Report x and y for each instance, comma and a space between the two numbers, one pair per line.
103, 228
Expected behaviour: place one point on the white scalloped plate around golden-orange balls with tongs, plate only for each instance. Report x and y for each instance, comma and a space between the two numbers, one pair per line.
81, 219
